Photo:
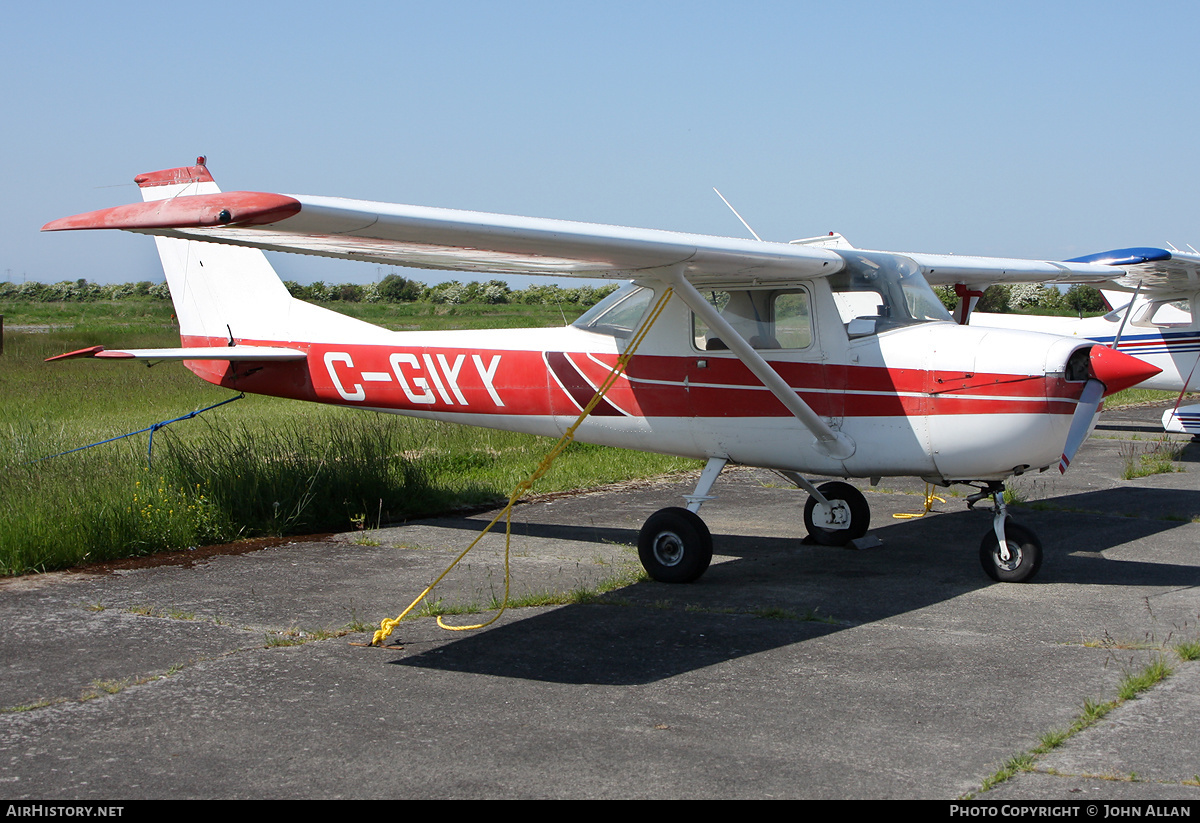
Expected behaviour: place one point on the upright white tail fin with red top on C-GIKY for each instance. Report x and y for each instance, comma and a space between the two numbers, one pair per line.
221, 293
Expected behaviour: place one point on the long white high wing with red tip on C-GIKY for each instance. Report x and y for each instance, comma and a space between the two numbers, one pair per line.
430, 238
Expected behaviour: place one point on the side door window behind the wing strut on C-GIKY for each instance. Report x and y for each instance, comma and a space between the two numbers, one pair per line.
767, 320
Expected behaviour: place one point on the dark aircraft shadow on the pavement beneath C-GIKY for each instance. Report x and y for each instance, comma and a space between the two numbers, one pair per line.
661, 632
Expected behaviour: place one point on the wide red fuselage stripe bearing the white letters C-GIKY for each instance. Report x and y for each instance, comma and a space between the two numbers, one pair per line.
555, 383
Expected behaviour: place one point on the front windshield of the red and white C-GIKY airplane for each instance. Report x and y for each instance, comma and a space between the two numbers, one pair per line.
879, 292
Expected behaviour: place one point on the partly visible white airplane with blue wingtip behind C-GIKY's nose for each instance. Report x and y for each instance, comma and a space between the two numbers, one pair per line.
1155, 317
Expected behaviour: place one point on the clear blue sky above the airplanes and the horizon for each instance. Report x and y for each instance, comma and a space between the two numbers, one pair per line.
1042, 130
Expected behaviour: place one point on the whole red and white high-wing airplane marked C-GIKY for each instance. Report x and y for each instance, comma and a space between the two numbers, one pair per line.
807, 358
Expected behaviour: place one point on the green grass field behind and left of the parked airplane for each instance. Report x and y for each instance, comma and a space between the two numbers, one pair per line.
257, 466
